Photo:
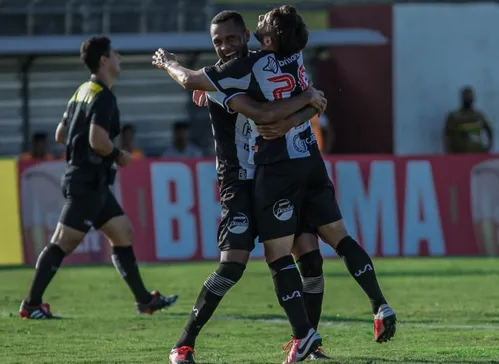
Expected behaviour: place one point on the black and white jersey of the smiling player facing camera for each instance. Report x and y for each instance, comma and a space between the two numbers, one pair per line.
231, 132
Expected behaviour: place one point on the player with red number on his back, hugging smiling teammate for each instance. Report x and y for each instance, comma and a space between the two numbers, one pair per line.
282, 195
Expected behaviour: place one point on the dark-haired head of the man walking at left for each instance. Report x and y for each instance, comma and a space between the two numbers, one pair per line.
100, 57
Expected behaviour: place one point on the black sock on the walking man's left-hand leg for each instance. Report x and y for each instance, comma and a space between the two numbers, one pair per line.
48, 263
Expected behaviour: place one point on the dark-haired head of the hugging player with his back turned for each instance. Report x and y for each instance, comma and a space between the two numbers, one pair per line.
282, 30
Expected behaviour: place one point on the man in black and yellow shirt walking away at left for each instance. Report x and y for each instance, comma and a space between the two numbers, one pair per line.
92, 122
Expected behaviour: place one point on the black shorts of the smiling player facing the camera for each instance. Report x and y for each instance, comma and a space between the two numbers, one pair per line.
237, 229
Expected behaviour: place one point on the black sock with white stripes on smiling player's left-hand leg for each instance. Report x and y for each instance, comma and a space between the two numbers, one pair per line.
214, 289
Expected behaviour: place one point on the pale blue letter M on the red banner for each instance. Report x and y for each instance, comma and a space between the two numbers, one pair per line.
376, 204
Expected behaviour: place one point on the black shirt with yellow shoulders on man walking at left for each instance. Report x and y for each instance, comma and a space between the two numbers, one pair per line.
91, 100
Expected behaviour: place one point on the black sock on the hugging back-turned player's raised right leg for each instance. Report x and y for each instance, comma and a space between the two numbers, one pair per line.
361, 268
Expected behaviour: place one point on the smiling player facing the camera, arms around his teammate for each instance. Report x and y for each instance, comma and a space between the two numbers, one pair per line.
237, 231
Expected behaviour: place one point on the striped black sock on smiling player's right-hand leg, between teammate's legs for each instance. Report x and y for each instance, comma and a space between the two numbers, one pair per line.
310, 265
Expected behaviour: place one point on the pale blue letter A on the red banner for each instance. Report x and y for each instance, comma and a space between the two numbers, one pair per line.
421, 200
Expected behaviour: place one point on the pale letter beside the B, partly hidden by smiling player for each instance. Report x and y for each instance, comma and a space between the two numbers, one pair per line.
209, 208
